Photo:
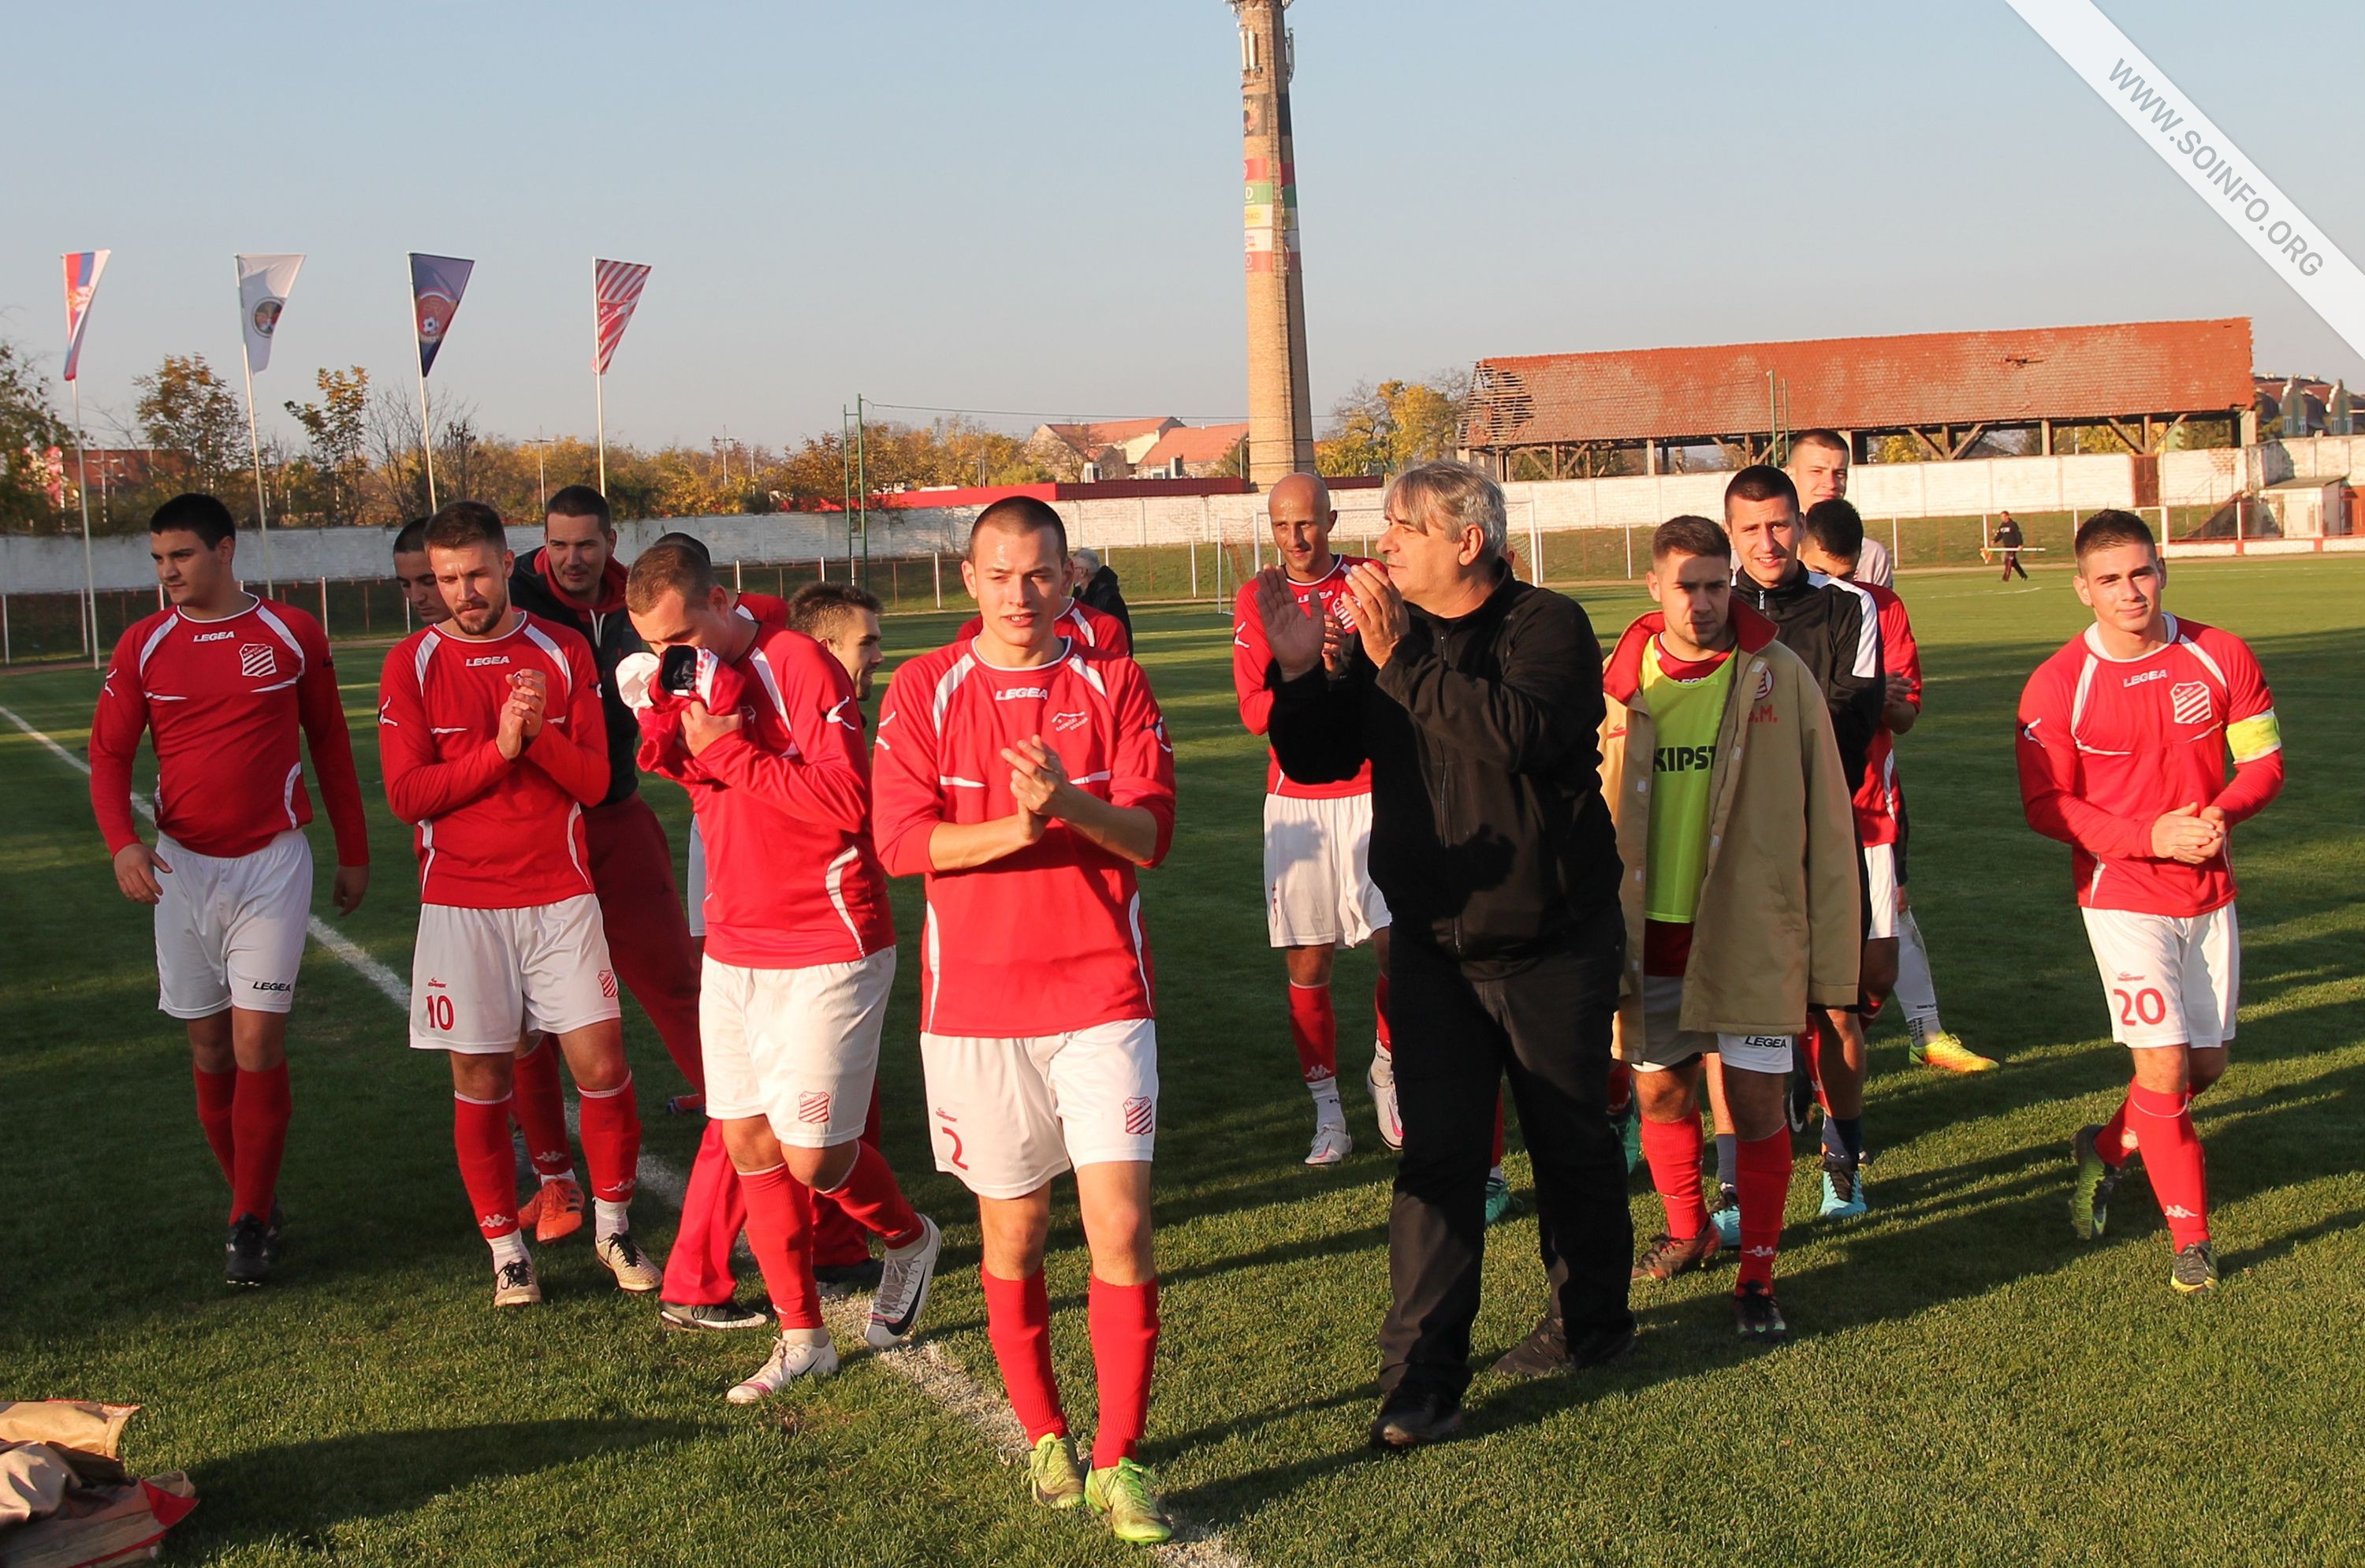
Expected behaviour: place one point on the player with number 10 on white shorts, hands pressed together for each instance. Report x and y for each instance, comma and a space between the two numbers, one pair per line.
493, 744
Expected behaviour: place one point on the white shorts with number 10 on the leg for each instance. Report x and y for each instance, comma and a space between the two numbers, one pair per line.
479, 973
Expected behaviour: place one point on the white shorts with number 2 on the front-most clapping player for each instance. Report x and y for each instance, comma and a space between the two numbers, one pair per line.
1011, 1115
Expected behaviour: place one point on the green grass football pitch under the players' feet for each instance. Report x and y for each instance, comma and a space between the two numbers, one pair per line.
1966, 1382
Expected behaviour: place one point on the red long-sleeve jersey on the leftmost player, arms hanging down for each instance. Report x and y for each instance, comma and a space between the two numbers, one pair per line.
226, 701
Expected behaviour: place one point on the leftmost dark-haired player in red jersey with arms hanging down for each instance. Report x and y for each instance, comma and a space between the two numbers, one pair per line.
226, 680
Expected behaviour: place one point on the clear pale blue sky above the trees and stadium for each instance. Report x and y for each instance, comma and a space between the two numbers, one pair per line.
1037, 207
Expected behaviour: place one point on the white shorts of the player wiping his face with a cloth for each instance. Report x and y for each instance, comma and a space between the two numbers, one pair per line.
796, 1047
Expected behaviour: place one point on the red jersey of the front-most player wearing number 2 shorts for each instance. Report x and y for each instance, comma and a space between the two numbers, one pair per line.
1051, 938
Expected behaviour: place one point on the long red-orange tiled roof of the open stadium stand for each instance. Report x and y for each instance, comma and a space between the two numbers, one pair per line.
2063, 375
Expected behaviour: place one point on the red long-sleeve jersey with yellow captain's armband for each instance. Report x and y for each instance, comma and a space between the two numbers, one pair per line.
2108, 746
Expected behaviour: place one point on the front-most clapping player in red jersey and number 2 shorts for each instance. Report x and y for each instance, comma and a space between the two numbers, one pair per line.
1028, 782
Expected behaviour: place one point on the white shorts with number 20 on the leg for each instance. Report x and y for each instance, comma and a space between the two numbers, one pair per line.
2170, 980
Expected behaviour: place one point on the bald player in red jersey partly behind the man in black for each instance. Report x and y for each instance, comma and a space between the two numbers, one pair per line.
1318, 838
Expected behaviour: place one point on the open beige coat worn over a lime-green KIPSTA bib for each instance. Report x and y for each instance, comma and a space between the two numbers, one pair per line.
1780, 924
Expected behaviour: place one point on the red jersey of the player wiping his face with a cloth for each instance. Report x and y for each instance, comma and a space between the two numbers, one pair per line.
784, 808
